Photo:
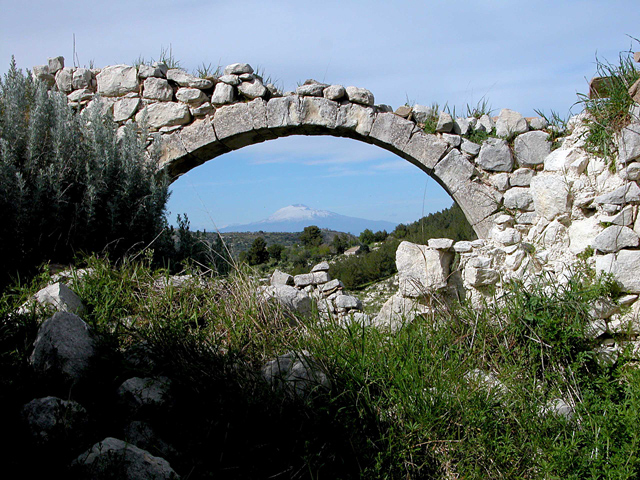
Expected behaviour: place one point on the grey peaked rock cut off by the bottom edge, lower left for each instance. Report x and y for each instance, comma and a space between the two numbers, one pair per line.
114, 458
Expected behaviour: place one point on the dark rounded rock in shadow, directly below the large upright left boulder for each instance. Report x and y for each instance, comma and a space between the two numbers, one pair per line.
55, 423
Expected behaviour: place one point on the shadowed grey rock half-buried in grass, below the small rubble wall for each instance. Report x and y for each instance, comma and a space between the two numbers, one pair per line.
296, 373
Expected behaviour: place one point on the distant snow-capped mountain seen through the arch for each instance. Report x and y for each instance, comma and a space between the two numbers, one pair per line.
295, 217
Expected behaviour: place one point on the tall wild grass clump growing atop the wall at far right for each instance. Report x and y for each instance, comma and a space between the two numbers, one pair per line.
609, 113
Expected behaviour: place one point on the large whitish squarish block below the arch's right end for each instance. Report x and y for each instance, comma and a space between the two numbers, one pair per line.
421, 269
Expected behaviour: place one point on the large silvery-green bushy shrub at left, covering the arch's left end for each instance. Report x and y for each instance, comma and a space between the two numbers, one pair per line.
69, 182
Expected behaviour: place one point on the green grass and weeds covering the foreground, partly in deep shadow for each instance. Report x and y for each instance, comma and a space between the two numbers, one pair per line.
463, 393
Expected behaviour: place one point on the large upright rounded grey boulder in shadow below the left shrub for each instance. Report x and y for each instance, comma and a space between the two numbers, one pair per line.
63, 347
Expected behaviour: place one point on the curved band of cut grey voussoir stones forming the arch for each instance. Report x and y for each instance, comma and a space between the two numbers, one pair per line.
231, 127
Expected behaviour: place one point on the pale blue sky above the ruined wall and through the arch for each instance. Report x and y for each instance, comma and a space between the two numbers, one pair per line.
523, 55
